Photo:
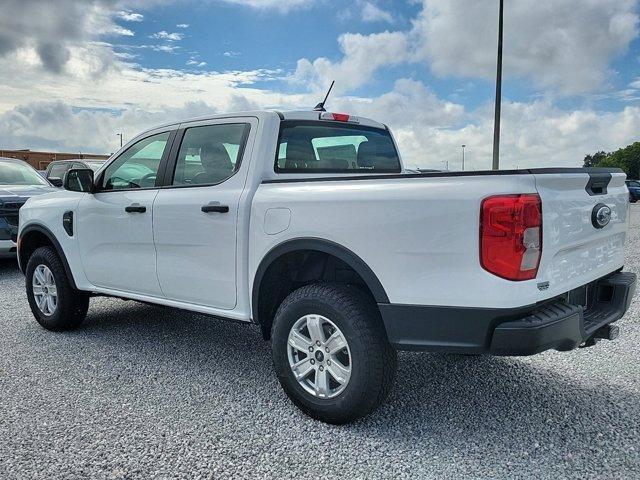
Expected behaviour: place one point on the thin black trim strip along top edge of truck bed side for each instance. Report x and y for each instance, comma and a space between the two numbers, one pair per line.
530, 171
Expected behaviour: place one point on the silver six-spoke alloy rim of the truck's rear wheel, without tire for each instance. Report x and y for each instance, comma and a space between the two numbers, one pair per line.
319, 356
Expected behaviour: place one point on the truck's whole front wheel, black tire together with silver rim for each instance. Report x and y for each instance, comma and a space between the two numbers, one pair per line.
54, 303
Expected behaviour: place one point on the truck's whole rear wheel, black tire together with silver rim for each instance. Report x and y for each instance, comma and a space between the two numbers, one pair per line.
331, 353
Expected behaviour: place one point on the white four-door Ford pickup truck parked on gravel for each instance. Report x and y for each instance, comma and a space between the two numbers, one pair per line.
307, 224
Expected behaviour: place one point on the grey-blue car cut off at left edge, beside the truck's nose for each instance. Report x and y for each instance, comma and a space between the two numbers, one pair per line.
18, 182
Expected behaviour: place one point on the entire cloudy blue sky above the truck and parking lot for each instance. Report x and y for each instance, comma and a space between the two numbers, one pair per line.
74, 73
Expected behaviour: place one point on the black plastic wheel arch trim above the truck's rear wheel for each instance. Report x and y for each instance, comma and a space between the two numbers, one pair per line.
320, 245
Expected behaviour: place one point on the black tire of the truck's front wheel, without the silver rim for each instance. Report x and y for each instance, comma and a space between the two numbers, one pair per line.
72, 305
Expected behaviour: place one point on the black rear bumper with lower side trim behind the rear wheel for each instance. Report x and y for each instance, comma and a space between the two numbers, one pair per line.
561, 324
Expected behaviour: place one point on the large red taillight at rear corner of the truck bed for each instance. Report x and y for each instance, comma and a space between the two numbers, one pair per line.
511, 236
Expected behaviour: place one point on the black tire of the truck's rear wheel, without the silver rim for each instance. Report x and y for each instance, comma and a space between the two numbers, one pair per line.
373, 360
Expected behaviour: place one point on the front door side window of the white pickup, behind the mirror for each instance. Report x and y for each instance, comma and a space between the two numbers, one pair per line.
138, 166
